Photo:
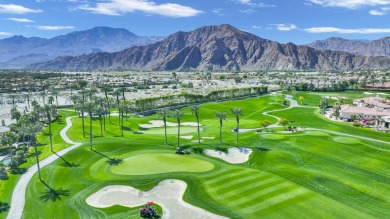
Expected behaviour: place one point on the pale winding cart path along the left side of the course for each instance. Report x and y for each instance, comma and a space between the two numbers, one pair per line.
19, 193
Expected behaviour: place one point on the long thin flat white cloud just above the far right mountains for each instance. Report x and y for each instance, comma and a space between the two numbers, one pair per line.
347, 31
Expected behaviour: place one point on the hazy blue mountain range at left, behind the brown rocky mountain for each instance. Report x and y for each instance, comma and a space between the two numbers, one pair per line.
19, 51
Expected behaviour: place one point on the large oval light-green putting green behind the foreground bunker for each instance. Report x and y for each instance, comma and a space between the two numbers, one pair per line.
155, 163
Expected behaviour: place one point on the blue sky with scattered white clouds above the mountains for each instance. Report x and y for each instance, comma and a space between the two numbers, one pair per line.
297, 21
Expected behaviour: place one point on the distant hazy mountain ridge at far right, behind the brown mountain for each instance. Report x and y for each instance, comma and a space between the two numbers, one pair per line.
380, 47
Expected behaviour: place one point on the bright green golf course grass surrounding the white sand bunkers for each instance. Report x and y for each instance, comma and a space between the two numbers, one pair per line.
325, 169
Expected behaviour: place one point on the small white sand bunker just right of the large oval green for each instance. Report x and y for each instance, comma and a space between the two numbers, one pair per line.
234, 155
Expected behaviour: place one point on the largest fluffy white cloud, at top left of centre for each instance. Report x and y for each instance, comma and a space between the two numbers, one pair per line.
119, 7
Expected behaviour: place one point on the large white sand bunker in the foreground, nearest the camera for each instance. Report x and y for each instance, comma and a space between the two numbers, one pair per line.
168, 194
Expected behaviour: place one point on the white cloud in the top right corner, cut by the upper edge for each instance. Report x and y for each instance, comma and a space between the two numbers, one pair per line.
351, 4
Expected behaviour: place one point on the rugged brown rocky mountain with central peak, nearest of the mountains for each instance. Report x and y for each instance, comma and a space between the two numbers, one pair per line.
213, 48
